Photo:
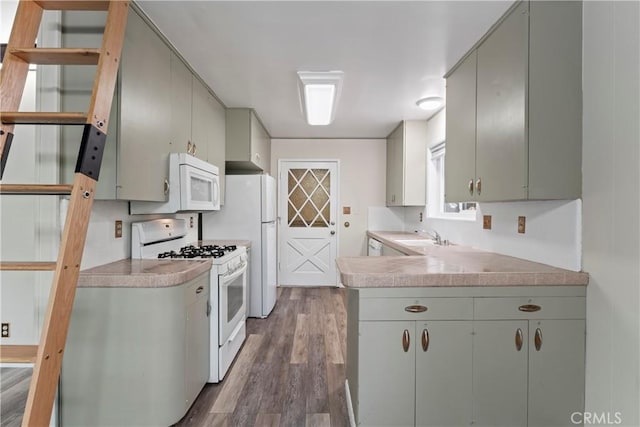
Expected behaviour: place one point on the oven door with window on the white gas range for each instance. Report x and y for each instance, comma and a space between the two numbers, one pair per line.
233, 301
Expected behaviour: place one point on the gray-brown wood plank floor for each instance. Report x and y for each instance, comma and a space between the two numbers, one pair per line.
289, 372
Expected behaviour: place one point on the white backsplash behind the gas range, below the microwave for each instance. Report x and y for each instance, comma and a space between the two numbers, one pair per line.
101, 246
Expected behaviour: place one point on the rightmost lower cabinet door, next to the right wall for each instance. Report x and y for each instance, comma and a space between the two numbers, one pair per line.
556, 371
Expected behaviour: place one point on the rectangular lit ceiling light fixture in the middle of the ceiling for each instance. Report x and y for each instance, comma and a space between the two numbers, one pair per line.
319, 94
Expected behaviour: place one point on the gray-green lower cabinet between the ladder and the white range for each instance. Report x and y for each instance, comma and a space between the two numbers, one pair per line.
135, 356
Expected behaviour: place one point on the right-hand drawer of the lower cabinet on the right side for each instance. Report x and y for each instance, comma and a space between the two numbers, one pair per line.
530, 308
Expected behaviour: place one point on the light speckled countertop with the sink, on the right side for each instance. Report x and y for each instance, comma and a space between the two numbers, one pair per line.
453, 265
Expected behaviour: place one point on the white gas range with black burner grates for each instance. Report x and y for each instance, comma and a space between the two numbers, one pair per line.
167, 238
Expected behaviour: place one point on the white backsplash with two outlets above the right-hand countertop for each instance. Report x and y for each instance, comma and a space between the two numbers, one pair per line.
553, 229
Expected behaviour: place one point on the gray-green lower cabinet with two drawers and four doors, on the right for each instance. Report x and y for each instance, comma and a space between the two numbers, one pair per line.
485, 361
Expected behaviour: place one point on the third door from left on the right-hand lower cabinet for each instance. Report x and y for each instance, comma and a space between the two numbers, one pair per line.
500, 373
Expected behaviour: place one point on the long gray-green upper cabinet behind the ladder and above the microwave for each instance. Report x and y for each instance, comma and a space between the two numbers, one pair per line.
159, 107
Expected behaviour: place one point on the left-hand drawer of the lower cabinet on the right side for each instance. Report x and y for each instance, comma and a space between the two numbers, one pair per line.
414, 308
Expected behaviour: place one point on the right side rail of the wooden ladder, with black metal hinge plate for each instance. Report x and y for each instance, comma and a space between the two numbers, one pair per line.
56, 323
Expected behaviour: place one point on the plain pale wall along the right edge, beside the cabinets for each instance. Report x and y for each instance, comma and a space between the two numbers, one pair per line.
611, 159
